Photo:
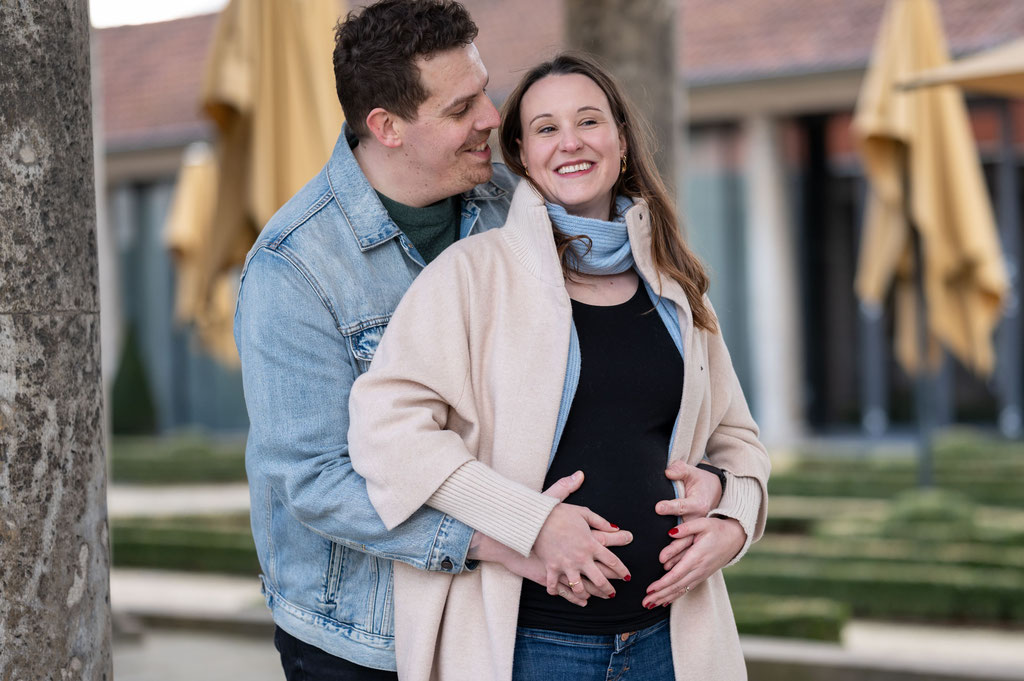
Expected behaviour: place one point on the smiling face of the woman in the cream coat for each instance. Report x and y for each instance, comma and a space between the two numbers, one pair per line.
571, 145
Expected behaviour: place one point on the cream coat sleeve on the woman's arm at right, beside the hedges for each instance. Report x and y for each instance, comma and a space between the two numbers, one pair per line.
734, 447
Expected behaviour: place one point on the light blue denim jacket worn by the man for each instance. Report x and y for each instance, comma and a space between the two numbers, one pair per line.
318, 290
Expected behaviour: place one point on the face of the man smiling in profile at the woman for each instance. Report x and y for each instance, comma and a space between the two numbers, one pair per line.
447, 146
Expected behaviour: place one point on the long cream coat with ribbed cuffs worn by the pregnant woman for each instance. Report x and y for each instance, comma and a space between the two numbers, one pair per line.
459, 410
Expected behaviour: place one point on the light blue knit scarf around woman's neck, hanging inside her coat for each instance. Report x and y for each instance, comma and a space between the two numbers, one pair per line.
610, 254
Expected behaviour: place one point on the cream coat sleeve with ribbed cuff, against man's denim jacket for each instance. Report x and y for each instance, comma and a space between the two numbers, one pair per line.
401, 410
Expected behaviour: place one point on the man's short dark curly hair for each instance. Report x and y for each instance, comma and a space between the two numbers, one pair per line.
375, 55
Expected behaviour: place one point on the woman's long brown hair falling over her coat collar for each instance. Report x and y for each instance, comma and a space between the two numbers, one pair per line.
671, 257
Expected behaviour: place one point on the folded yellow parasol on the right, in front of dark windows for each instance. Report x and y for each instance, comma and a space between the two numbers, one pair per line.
925, 175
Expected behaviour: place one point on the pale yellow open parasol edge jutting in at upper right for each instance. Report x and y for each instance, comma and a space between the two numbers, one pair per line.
998, 71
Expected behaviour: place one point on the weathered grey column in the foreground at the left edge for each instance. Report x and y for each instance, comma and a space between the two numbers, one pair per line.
55, 567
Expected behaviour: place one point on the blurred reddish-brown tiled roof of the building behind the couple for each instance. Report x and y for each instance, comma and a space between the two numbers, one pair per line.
152, 73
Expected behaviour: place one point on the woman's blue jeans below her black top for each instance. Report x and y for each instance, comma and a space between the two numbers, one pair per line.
643, 656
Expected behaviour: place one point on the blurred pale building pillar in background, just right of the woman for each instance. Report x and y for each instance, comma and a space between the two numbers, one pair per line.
774, 293
